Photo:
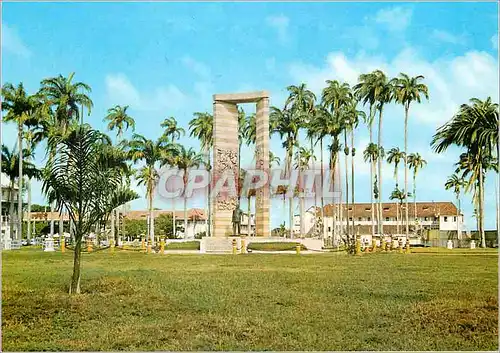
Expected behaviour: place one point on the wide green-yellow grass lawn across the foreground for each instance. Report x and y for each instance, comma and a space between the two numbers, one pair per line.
136, 301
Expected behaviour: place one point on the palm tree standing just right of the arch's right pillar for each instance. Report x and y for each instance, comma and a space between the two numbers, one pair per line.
287, 123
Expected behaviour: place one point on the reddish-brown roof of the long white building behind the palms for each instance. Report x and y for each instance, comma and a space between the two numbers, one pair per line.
424, 209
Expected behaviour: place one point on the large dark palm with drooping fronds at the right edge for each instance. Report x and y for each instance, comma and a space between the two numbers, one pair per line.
474, 127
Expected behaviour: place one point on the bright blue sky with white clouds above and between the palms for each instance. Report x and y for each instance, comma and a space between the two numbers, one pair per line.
168, 59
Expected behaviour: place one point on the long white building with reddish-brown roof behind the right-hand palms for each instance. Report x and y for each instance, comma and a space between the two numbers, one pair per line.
437, 216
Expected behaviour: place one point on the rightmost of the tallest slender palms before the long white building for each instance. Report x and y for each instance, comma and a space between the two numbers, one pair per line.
406, 91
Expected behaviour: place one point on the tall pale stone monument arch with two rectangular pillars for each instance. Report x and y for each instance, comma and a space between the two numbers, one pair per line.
225, 157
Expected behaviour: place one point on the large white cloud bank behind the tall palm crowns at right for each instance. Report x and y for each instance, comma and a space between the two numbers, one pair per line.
450, 81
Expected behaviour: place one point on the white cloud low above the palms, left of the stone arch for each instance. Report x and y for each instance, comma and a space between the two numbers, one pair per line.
120, 90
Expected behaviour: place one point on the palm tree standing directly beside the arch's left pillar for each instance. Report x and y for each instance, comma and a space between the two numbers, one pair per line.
201, 127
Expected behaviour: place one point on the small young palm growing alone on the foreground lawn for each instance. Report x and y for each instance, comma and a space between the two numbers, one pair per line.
86, 181
